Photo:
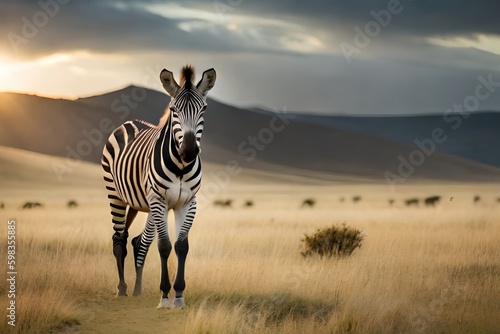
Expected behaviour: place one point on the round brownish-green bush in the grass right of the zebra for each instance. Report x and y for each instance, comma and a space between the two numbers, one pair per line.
336, 241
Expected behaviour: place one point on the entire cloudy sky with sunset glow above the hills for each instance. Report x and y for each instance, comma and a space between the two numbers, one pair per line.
322, 56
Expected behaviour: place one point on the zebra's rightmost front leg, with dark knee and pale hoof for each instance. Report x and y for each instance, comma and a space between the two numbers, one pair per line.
183, 220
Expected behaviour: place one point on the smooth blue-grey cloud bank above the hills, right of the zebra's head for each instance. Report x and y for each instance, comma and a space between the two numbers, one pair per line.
325, 84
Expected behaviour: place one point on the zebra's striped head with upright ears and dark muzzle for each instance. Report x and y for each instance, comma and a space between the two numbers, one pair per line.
187, 104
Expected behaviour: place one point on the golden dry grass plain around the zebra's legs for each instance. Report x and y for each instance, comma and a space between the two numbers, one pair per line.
419, 270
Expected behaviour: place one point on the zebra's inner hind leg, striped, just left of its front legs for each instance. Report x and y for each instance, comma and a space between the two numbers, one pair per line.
141, 245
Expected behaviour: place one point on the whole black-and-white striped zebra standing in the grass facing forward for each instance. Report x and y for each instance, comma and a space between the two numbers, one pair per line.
154, 169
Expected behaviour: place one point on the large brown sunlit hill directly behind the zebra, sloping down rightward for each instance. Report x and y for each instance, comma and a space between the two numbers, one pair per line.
255, 140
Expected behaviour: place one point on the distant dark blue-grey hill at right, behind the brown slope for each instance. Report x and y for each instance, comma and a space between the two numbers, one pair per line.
476, 137
